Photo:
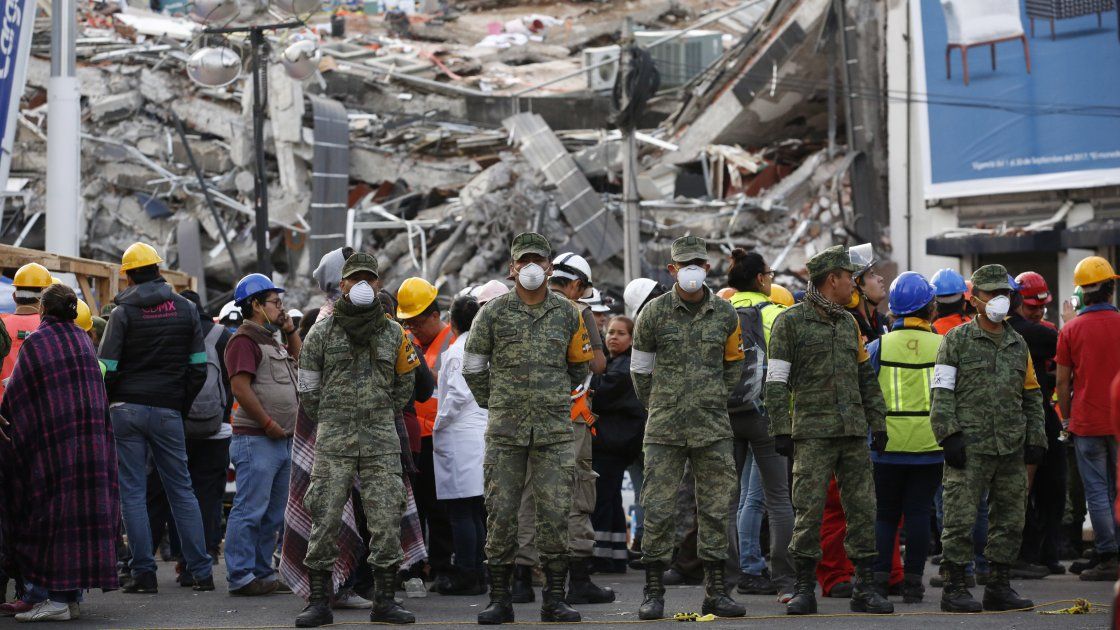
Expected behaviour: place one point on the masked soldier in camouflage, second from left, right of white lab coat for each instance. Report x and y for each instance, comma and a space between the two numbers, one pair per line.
528, 350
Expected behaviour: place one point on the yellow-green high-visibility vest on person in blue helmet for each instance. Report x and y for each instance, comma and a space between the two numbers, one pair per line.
907, 360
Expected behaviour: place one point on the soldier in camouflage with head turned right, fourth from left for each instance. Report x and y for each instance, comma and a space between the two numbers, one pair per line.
817, 359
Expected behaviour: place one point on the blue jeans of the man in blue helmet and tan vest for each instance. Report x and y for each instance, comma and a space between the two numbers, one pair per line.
264, 467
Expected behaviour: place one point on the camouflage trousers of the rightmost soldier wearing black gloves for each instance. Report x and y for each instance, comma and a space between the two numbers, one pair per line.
1004, 478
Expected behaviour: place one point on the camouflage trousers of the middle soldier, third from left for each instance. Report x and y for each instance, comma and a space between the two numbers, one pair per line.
714, 468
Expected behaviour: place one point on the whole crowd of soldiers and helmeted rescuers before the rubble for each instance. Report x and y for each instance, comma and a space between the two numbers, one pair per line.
482, 444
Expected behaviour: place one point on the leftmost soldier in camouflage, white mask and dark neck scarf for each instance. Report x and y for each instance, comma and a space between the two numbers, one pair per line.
356, 370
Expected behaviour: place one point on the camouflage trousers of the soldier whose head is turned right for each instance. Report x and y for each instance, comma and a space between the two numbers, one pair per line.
815, 462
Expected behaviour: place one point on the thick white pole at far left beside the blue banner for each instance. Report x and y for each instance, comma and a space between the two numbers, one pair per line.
64, 135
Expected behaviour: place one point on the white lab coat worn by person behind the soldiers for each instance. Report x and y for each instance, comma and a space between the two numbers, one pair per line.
459, 437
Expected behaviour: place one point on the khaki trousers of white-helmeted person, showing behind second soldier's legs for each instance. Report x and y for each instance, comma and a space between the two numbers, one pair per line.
581, 533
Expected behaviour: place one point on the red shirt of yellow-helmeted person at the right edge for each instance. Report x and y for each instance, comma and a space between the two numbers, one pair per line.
1090, 347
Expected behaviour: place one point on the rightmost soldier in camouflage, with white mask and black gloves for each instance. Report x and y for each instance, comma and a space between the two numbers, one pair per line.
987, 413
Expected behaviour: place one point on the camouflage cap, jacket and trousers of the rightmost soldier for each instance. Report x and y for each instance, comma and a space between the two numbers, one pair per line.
988, 392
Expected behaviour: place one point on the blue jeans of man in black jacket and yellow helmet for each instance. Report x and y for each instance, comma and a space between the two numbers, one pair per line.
141, 431
